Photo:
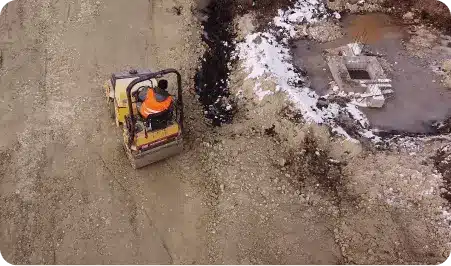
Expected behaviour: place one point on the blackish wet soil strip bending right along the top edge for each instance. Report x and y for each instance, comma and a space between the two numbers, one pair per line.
211, 79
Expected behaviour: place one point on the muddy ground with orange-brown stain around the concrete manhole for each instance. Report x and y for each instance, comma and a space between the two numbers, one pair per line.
408, 54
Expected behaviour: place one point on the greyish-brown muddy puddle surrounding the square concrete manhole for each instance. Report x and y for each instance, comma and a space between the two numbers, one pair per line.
419, 98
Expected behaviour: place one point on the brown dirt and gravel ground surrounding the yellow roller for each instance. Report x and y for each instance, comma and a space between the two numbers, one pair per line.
237, 194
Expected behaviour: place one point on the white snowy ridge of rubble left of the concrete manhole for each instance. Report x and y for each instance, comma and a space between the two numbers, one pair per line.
266, 60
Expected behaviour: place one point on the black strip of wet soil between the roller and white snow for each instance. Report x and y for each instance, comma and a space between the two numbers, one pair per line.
211, 80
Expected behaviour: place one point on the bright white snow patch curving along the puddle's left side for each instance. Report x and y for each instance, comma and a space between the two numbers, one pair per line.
266, 58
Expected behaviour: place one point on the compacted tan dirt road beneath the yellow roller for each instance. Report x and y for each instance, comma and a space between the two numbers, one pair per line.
68, 194
